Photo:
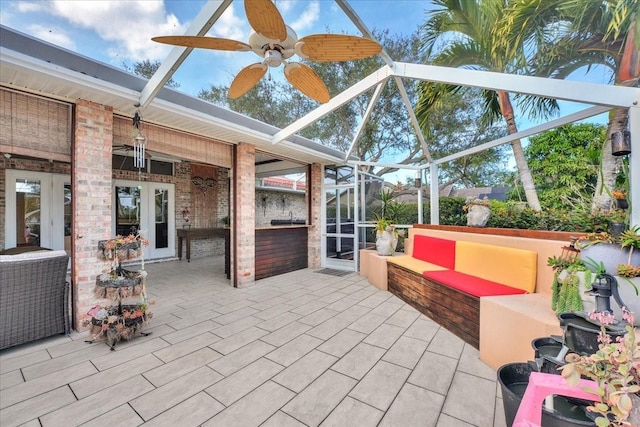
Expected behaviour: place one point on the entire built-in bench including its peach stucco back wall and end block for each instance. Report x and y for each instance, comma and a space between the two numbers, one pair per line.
500, 324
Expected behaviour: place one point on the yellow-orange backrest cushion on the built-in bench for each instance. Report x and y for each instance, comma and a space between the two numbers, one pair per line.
508, 266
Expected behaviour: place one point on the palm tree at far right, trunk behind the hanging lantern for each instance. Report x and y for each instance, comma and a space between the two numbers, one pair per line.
566, 35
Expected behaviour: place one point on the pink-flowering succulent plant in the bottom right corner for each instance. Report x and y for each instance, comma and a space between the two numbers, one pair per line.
615, 369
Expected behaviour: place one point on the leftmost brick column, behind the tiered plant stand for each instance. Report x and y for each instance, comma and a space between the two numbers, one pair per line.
91, 186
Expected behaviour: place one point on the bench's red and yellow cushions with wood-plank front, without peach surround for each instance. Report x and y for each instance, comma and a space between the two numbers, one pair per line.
445, 280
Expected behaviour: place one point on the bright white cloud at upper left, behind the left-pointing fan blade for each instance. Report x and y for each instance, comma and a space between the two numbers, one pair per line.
130, 24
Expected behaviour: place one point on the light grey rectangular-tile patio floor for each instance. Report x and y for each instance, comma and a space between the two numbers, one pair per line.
300, 349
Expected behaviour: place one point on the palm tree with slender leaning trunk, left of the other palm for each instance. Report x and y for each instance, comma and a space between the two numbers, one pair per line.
461, 33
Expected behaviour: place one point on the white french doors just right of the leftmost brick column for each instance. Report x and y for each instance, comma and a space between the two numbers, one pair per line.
147, 207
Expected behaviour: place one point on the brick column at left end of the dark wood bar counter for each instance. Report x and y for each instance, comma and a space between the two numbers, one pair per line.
245, 212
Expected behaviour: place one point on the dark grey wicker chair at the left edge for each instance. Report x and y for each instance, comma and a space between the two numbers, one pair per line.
34, 296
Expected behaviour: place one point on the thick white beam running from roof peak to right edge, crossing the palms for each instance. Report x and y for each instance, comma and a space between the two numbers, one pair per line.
588, 93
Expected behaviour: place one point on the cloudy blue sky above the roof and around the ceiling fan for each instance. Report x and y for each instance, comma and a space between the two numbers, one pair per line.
117, 32
